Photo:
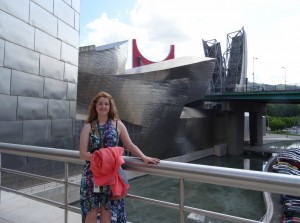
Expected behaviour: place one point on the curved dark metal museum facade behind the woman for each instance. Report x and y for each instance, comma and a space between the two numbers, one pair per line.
151, 100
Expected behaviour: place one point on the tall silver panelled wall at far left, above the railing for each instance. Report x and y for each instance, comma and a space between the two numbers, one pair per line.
38, 69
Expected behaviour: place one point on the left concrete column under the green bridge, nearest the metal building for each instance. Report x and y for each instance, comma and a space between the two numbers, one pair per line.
235, 133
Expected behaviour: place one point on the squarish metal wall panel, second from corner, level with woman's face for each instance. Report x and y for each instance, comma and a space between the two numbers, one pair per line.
58, 109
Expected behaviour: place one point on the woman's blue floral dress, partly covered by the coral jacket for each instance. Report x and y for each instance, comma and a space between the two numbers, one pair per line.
90, 200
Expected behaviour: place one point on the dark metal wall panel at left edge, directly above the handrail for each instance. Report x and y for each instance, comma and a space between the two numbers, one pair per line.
11, 132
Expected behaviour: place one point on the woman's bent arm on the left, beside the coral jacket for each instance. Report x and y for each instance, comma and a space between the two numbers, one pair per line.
84, 141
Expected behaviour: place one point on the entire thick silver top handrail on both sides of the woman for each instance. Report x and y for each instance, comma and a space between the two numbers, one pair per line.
247, 179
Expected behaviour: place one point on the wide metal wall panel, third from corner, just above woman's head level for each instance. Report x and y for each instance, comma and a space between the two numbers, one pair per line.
27, 84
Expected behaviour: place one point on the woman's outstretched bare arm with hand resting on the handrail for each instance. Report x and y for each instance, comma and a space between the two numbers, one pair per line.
124, 136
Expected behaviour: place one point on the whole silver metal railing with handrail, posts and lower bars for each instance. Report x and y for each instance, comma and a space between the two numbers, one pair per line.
247, 179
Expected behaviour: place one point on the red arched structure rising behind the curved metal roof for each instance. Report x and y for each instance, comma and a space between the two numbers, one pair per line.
139, 60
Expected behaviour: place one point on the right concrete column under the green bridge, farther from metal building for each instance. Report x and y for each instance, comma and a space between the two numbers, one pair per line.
256, 128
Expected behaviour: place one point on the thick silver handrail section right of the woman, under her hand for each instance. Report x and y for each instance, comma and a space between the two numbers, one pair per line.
240, 178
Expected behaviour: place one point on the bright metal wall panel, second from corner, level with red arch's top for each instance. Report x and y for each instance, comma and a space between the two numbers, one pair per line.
46, 44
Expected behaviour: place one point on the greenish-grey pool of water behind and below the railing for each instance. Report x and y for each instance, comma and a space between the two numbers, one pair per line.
226, 200
